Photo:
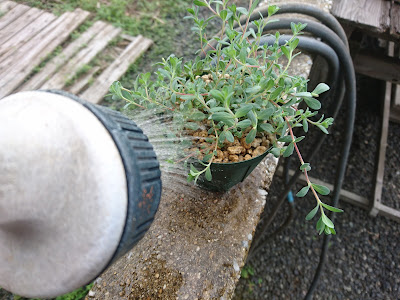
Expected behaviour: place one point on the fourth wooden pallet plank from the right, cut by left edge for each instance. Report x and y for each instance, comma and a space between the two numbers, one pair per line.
9, 47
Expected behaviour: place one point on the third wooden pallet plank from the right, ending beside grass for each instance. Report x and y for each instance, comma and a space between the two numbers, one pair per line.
33, 52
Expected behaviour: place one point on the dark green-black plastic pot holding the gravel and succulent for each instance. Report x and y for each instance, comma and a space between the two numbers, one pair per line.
227, 175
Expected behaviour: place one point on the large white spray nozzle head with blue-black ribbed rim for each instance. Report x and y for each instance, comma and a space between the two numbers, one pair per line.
79, 187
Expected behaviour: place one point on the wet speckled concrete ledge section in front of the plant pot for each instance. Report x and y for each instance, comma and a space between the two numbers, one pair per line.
196, 246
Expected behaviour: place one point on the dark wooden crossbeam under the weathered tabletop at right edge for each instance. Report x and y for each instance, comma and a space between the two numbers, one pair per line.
378, 66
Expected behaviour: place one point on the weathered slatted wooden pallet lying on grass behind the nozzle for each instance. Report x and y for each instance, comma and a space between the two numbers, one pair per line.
28, 35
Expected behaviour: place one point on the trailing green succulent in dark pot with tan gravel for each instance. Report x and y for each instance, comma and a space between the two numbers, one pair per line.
235, 99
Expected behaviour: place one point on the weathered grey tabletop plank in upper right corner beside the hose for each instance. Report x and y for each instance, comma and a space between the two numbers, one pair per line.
368, 13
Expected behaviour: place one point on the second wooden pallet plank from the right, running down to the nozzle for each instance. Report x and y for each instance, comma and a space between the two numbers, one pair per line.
82, 58
